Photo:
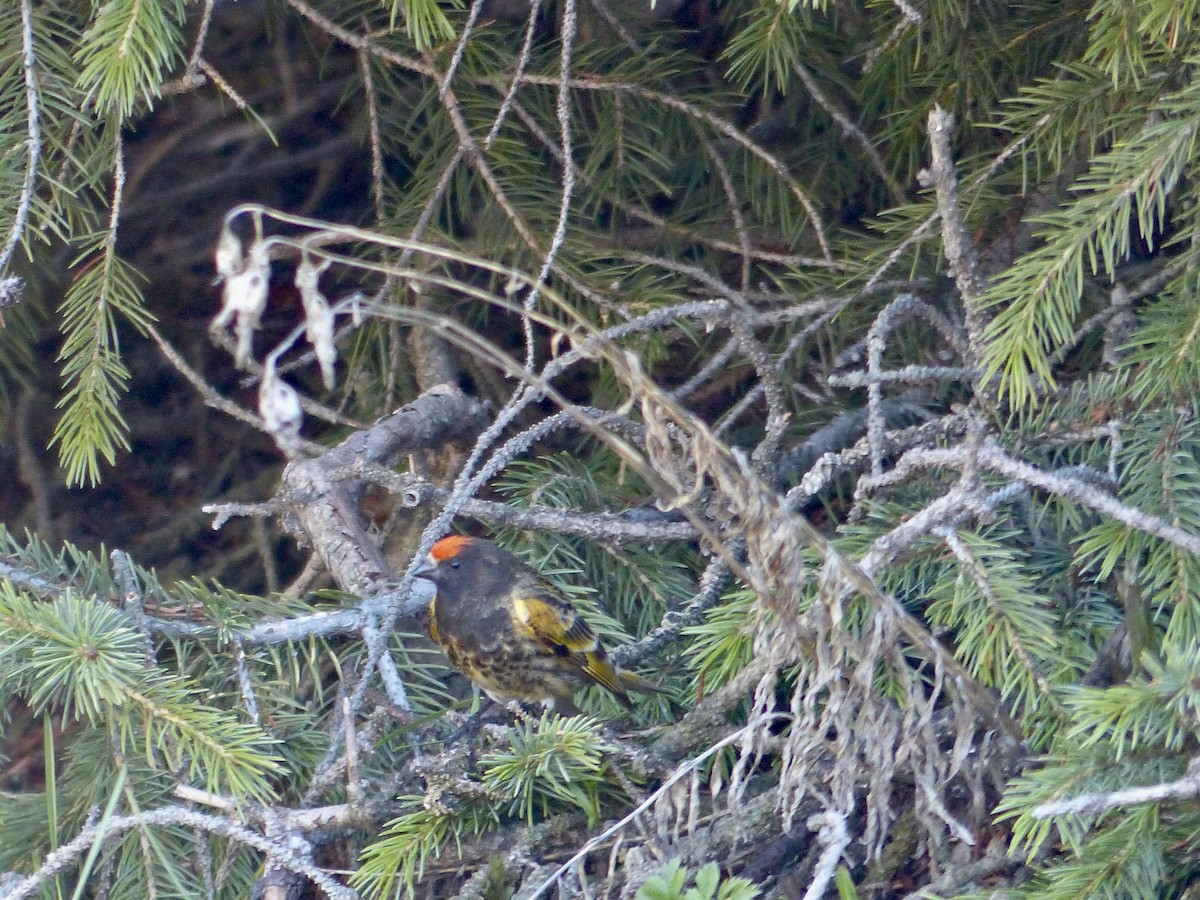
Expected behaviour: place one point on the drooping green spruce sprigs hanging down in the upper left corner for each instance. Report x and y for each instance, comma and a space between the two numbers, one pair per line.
124, 55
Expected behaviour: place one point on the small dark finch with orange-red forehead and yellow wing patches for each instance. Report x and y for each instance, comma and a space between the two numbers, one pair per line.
512, 633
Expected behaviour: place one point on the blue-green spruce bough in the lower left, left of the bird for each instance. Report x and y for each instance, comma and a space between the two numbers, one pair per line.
68, 651
